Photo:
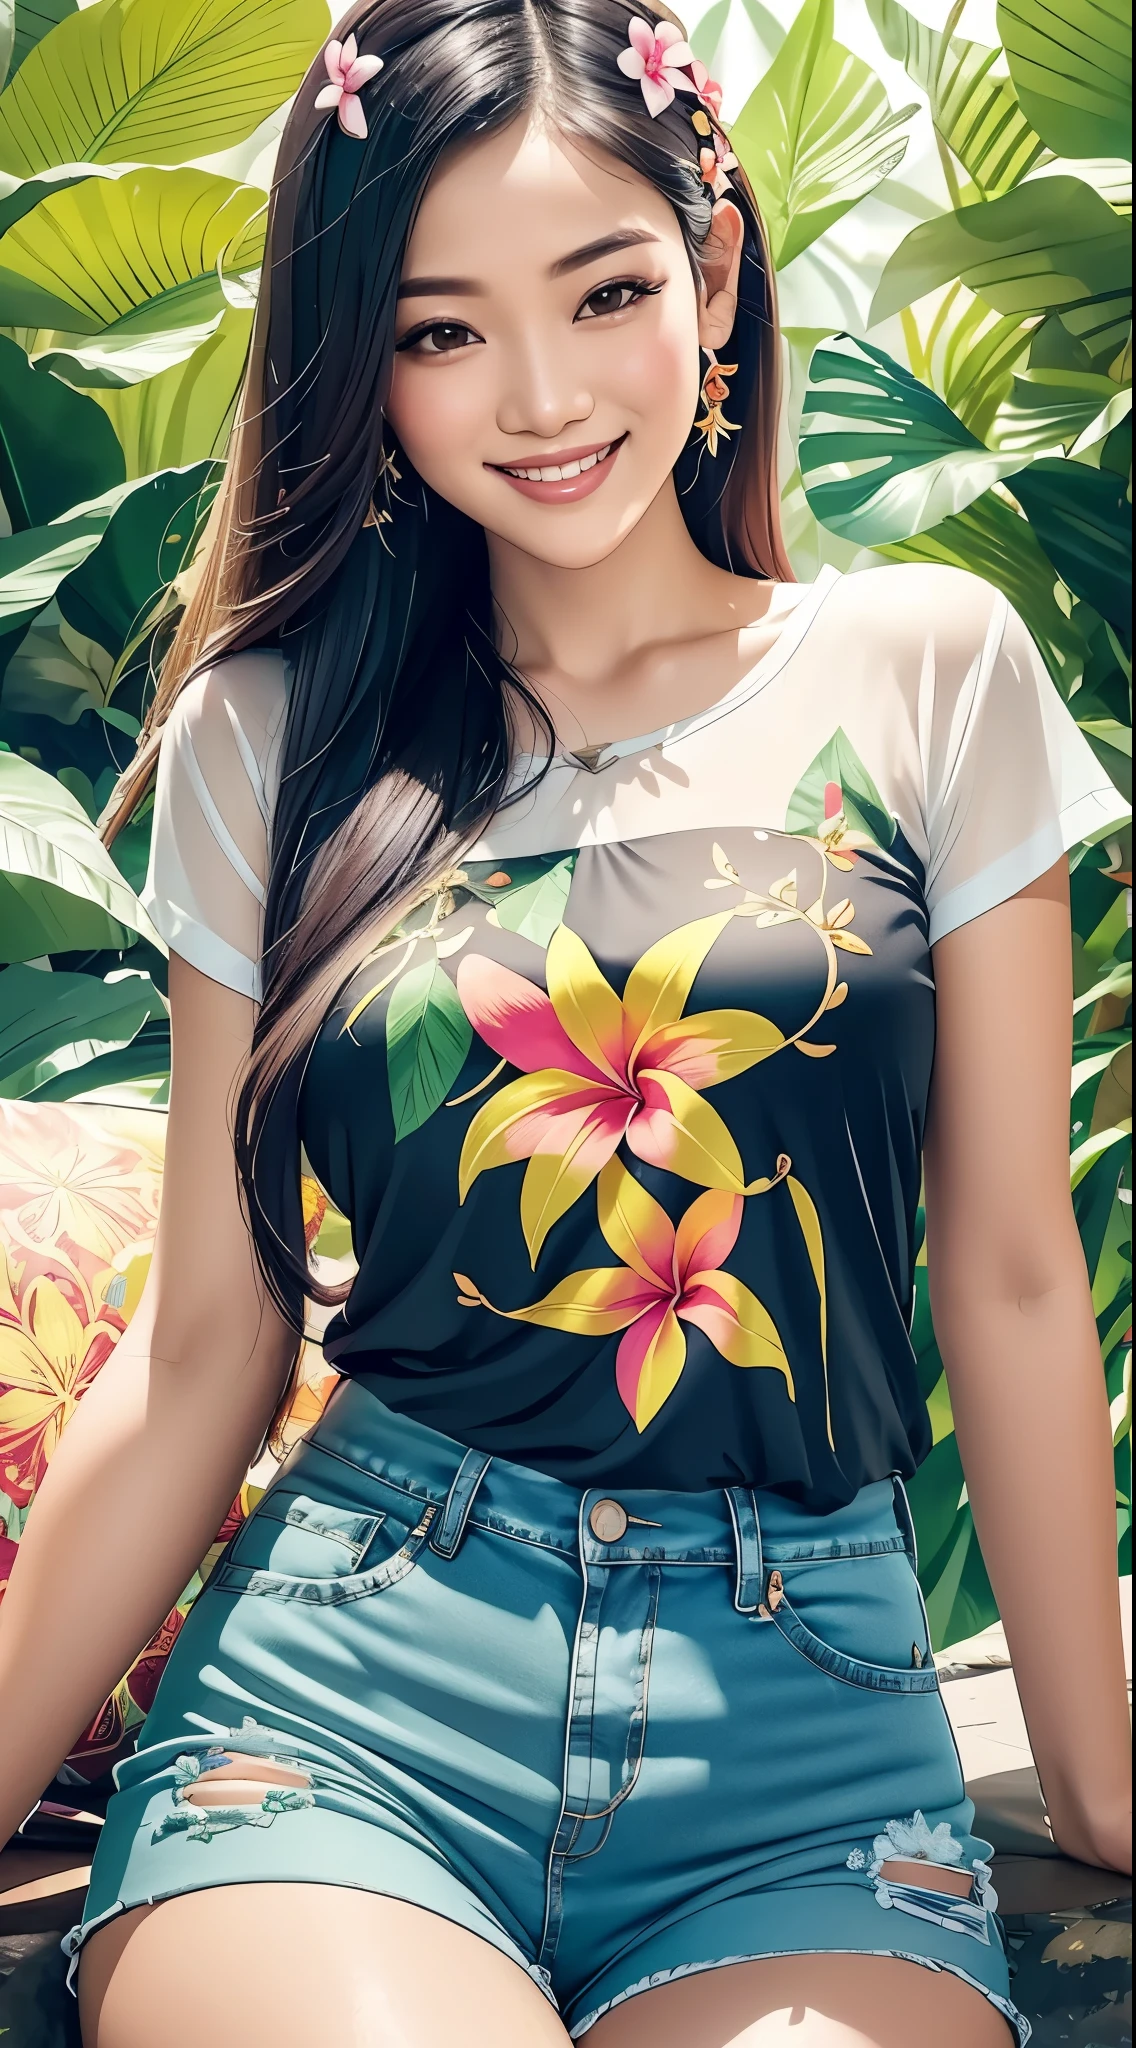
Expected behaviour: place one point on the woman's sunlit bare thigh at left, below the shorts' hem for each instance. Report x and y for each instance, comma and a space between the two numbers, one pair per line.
290, 1965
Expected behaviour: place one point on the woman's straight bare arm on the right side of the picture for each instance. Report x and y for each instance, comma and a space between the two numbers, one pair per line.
1016, 1330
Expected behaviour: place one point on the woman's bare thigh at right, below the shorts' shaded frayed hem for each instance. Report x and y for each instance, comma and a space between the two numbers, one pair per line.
807, 2002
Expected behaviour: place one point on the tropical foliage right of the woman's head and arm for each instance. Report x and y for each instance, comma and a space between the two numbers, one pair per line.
975, 411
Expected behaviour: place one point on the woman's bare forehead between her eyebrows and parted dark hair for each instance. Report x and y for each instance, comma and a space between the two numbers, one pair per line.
525, 198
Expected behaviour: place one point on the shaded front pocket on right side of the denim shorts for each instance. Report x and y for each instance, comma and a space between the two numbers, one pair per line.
861, 1621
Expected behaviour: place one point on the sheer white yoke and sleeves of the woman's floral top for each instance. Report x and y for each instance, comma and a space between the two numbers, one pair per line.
926, 671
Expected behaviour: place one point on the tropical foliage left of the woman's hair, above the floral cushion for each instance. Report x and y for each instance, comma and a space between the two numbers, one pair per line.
132, 230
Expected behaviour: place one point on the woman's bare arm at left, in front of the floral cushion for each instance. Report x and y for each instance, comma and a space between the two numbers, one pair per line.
165, 1437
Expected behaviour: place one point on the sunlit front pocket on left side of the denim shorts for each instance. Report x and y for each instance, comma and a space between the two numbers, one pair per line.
300, 1547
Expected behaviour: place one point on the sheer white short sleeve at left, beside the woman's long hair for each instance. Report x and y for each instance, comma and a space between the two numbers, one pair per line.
214, 800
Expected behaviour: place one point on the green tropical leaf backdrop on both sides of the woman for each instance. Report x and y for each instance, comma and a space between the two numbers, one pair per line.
949, 200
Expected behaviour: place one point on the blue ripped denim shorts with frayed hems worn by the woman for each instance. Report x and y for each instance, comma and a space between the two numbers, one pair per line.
623, 1738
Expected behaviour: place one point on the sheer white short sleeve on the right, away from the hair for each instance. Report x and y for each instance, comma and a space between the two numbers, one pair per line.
1010, 779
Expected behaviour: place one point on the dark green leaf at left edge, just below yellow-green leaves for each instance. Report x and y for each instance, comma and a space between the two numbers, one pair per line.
56, 447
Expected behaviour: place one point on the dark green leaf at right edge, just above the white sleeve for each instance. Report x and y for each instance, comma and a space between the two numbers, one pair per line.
1084, 521
